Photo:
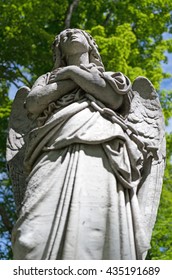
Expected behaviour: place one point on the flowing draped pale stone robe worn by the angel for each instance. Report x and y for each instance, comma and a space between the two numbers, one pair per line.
81, 192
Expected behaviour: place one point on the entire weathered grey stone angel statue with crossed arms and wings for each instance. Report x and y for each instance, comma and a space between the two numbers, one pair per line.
86, 155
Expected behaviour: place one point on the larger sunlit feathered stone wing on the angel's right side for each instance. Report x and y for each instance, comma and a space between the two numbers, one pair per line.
146, 118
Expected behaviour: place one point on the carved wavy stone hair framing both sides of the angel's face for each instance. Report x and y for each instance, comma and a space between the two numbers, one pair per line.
94, 56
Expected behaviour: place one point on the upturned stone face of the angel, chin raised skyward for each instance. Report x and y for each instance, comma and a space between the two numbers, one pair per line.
73, 41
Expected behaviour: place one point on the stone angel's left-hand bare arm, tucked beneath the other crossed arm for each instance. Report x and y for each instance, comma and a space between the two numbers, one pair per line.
41, 95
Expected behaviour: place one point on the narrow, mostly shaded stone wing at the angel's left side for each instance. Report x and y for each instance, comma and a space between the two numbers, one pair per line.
19, 126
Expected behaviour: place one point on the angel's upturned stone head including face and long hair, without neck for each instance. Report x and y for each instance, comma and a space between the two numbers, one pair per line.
71, 40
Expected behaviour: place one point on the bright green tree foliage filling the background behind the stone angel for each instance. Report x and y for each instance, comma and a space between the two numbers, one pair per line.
129, 34
